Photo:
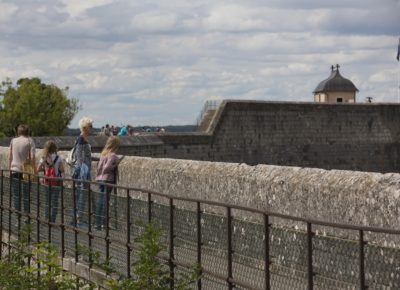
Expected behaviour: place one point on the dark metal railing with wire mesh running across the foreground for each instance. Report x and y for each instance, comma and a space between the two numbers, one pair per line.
237, 247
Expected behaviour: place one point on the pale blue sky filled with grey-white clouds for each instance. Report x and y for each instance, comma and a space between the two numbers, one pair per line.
157, 62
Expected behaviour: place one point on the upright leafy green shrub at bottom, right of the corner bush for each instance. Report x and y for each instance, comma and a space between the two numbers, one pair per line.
149, 273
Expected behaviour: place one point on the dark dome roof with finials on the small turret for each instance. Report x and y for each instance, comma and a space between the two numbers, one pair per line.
335, 83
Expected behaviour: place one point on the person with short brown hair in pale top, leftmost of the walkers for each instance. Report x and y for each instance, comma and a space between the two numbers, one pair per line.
22, 149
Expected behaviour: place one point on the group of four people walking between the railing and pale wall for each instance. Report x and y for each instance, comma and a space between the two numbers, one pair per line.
22, 148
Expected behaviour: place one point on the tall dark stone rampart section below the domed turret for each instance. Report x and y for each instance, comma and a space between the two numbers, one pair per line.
332, 136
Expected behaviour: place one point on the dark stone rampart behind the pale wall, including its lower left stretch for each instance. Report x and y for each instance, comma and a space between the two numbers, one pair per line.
363, 137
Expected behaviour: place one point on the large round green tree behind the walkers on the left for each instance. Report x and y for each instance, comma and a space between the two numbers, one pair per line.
46, 109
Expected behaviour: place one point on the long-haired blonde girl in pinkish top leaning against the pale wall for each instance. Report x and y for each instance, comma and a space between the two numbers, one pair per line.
106, 173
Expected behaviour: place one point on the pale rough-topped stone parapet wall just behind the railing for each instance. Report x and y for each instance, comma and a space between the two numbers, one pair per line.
330, 195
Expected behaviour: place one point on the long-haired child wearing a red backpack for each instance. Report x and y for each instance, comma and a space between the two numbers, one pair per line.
51, 164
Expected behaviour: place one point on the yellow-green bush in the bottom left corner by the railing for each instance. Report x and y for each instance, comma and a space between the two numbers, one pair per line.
35, 267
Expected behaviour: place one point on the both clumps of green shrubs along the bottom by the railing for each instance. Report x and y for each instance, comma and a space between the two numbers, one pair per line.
37, 266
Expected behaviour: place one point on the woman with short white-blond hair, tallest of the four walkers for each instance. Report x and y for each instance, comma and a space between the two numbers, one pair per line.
81, 170
